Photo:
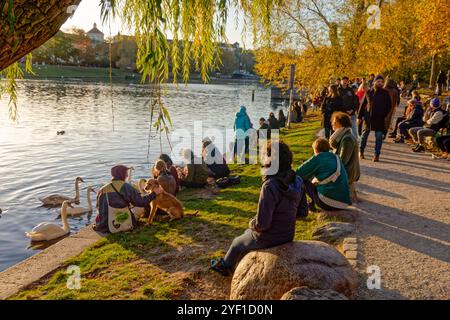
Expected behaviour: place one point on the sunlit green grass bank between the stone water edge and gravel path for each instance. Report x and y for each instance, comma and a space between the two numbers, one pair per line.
171, 260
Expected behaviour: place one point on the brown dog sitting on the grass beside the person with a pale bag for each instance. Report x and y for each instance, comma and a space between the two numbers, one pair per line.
164, 201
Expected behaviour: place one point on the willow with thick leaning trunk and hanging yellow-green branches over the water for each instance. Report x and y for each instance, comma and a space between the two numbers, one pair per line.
196, 28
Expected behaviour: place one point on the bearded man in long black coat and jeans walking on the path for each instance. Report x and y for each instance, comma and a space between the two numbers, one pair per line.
373, 111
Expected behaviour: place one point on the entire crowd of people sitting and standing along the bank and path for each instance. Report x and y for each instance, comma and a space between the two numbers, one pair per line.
350, 112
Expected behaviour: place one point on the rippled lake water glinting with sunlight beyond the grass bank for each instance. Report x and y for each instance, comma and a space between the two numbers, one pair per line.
36, 162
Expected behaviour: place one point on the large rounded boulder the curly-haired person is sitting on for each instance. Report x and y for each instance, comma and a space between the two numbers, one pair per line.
268, 274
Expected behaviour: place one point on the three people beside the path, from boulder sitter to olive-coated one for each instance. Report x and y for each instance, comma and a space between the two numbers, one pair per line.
327, 178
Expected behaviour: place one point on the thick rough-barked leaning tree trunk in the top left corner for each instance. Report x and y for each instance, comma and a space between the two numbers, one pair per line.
36, 21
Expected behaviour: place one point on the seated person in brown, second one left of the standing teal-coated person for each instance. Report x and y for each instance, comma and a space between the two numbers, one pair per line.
196, 173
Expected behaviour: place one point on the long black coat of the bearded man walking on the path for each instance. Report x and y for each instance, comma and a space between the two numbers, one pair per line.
374, 109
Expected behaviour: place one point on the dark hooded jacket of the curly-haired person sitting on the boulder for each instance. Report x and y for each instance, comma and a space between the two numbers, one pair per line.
282, 199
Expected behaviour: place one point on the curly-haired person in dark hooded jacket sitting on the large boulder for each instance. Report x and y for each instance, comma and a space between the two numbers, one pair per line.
281, 201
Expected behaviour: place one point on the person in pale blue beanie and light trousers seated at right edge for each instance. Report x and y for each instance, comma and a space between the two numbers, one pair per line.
433, 119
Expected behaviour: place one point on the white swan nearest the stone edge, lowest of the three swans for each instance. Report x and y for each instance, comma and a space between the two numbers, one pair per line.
46, 231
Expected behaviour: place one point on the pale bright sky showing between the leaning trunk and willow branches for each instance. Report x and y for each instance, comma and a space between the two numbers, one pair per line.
88, 13
